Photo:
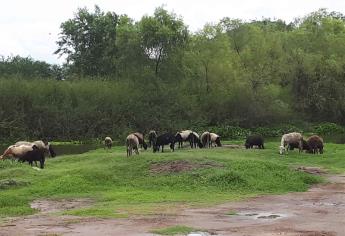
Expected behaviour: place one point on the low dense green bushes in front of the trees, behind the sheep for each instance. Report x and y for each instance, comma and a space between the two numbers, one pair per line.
89, 109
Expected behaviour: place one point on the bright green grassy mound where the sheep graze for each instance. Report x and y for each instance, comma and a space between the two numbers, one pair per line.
146, 184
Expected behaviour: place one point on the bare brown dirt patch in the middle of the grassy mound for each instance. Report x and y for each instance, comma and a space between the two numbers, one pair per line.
180, 166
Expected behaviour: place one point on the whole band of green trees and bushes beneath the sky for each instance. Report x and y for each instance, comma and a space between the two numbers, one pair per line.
123, 75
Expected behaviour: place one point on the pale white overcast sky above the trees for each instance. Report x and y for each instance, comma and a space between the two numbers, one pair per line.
31, 28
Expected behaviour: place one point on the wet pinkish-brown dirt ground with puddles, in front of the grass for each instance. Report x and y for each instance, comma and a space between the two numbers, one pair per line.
317, 212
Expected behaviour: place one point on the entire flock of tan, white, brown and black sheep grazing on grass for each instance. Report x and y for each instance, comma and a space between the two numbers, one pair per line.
30, 152
